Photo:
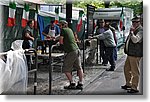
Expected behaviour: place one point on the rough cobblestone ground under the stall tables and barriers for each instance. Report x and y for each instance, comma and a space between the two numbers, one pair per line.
59, 79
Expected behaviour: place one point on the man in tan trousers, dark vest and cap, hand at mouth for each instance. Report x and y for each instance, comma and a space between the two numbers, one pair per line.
134, 51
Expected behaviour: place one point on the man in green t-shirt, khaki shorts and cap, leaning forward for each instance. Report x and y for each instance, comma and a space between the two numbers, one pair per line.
72, 57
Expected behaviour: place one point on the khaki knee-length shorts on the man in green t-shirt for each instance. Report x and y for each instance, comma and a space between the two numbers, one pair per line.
72, 60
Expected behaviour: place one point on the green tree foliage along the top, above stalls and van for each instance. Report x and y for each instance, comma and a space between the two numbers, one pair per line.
136, 5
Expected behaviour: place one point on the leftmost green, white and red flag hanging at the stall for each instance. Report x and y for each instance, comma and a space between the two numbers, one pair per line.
11, 18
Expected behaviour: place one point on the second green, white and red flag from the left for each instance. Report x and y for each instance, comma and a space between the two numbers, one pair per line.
25, 16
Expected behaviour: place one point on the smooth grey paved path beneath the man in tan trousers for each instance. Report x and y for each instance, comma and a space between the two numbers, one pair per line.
110, 82
